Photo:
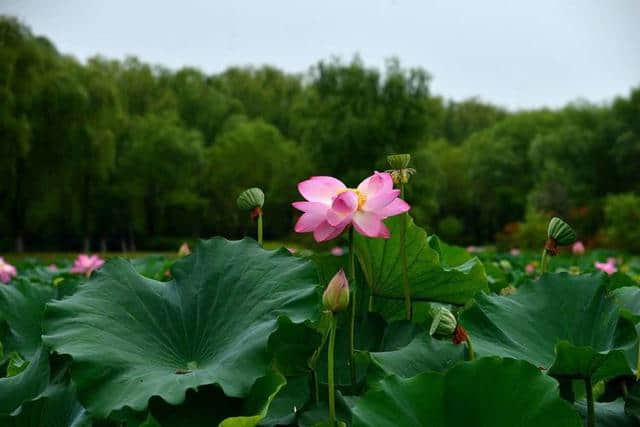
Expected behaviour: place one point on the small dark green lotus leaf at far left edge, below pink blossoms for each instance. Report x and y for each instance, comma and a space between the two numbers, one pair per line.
22, 307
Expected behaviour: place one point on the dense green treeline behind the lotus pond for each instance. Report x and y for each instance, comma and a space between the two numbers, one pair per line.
123, 154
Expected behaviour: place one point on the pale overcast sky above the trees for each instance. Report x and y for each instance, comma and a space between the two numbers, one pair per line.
514, 53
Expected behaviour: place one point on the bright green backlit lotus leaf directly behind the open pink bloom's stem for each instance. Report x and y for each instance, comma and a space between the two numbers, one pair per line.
430, 276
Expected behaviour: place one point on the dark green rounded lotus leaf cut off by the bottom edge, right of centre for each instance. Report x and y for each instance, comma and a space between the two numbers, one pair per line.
487, 392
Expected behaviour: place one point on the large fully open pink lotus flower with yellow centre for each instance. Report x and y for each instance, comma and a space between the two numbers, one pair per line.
331, 207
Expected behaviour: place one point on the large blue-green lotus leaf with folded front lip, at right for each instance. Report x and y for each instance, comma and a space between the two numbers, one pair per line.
562, 323
